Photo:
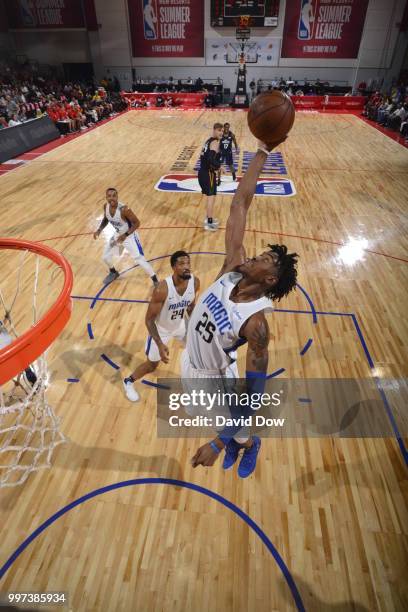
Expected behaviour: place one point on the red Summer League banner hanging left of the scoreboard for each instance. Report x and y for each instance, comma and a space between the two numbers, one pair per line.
167, 28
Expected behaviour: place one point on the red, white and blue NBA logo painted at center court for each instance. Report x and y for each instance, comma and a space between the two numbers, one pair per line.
188, 183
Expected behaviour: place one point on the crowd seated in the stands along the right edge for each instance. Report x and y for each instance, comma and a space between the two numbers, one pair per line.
390, 110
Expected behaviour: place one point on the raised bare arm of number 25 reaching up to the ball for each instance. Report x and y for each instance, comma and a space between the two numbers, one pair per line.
235, 230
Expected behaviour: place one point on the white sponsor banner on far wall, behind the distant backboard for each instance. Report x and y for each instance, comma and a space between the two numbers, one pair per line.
265, 50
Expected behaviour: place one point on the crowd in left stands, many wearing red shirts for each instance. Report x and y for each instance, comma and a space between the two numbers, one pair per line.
72, 106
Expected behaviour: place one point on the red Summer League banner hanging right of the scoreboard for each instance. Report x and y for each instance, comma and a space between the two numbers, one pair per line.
323, 28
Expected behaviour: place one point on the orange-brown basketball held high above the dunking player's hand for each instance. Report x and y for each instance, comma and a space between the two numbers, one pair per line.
271, 116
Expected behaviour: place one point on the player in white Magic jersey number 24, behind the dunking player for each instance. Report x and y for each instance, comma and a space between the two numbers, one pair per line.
171, 301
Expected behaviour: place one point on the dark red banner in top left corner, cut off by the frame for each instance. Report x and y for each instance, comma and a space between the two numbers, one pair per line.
45, 14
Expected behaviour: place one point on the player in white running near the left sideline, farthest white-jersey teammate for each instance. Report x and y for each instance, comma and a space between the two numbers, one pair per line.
125, 222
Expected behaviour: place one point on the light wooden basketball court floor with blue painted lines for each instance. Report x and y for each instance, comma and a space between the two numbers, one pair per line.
335, 510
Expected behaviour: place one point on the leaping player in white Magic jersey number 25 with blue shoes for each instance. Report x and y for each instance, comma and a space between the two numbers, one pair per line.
231, 313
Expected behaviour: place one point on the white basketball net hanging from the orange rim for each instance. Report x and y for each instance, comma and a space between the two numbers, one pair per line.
29, 429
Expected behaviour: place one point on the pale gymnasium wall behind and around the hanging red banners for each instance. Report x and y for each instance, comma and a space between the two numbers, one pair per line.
382, 49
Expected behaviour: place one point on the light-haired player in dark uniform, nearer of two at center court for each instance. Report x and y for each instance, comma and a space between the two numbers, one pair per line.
207, 174
